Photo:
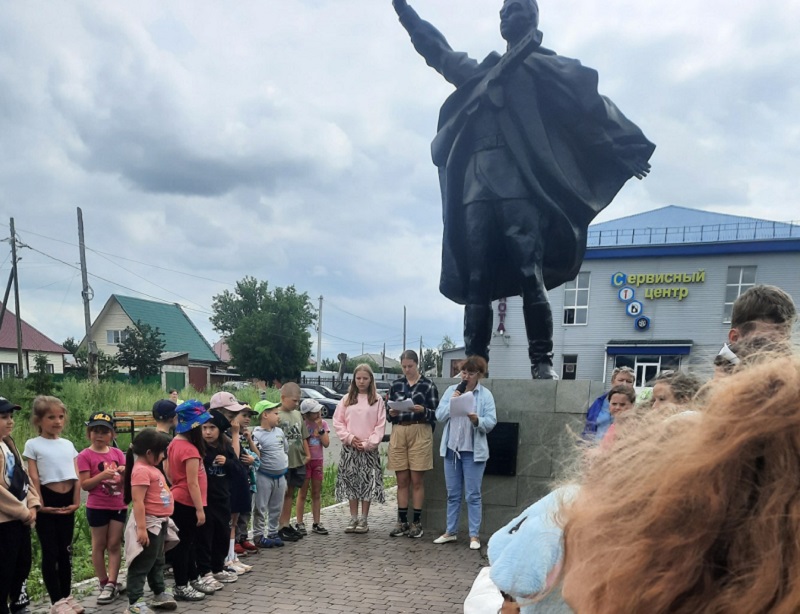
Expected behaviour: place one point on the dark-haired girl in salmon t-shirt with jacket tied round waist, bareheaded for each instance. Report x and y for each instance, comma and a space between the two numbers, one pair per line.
147, 488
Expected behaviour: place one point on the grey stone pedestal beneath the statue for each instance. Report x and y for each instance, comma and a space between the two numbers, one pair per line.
546, 412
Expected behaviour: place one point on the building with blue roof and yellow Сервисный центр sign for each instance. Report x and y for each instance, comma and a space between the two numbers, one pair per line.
655, 292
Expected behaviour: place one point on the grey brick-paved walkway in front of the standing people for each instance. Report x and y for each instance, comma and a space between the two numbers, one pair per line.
345, 573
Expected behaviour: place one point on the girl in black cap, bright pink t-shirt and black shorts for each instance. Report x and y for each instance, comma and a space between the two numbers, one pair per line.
101, 470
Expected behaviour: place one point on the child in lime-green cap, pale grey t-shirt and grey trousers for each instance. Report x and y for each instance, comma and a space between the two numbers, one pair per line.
271, 478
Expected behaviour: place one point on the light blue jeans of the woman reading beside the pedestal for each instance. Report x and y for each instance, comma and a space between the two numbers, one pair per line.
463, 474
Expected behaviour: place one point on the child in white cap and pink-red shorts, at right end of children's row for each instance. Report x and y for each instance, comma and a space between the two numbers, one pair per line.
318, 439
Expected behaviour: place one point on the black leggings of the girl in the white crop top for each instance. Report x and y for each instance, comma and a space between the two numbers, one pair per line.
55, 536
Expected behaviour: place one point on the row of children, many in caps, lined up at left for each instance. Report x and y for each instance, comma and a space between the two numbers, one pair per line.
191, 496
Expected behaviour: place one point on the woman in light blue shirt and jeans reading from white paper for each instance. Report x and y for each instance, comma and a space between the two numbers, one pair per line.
468, 414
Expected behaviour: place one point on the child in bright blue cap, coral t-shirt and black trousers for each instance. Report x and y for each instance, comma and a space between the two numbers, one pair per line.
189, 491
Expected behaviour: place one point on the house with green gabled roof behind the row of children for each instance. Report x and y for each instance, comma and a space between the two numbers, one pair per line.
187, 357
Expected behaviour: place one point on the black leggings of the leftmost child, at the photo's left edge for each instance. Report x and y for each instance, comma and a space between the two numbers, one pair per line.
15, 564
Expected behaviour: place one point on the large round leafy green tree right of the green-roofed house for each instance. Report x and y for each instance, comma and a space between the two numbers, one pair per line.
267, 331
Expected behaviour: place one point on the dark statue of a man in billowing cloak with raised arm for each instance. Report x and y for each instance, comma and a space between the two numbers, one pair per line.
528, 154
